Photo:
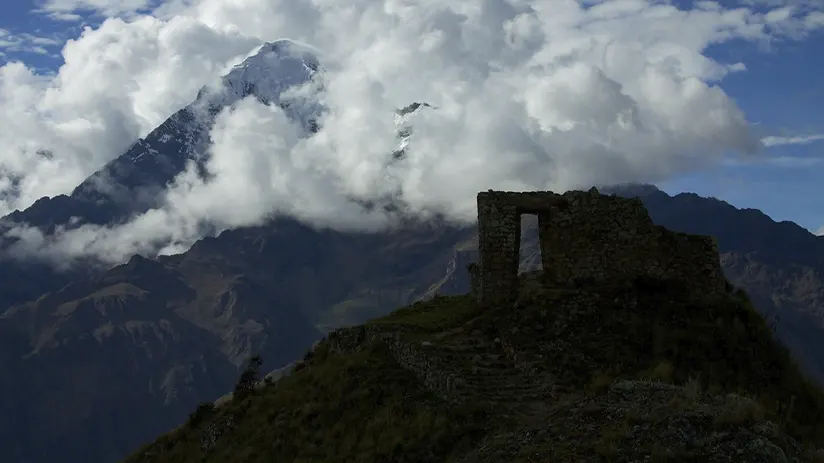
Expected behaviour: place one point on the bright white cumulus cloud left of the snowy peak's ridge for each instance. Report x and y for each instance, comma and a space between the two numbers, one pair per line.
119, 82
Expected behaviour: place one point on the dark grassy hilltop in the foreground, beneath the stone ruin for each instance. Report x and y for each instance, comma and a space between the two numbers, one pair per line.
627, 371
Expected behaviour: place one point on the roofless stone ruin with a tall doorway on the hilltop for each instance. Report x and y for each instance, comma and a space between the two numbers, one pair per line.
584, 236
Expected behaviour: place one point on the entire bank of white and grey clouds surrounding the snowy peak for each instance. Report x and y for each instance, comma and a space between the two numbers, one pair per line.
530, 94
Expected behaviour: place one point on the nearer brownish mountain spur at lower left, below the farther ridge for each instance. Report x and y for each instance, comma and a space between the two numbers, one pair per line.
95, 368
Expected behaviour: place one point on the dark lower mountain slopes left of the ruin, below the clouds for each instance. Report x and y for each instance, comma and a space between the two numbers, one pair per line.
134, 349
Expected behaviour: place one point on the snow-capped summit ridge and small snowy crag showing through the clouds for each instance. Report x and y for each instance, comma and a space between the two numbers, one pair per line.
283, 72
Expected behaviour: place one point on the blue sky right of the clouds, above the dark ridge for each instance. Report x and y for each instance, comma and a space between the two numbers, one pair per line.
782, 91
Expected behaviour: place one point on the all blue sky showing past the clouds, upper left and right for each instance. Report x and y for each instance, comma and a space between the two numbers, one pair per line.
781, 92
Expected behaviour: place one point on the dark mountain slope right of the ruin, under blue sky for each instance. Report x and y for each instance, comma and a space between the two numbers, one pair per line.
780, 264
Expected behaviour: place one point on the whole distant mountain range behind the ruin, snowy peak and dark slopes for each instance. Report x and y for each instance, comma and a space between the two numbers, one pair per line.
95, 362
